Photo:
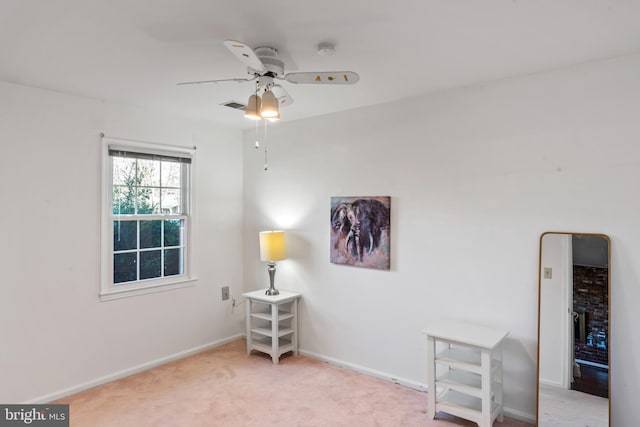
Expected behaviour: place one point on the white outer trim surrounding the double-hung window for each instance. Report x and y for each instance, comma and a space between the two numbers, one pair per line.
109, 291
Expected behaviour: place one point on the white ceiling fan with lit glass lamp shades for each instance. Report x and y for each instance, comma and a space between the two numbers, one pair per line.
265, 68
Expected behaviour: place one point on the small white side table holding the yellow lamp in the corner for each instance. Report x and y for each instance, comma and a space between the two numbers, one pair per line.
272, 323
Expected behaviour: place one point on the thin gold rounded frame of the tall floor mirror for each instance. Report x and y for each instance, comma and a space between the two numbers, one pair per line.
572, 233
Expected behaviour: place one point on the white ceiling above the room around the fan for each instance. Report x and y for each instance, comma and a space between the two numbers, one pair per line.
135, 51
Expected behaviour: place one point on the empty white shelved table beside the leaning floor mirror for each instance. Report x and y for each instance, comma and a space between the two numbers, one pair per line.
465, 371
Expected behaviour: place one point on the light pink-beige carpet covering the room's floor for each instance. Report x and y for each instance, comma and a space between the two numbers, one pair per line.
226, 387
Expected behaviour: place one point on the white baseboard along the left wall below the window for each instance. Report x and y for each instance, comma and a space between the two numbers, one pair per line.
129, 371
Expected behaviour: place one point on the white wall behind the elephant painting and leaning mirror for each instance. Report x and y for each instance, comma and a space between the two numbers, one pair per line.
475, 176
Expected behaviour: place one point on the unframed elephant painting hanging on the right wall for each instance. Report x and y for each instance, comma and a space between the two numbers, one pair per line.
360, 231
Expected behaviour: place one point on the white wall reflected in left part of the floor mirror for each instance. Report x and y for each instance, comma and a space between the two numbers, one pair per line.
554, 342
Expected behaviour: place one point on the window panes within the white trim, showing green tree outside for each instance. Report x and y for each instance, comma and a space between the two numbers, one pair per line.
148, 216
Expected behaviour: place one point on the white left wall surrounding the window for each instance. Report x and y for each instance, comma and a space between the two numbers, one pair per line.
55, 334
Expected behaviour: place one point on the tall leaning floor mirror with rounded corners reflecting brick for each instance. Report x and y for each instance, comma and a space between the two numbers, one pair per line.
573, 330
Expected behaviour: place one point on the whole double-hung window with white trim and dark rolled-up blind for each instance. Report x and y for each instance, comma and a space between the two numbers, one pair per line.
146, 218
